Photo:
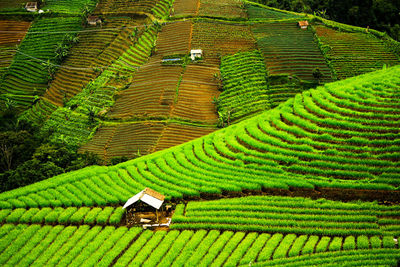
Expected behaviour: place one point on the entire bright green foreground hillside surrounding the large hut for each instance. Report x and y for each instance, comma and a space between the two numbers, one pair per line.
78, 213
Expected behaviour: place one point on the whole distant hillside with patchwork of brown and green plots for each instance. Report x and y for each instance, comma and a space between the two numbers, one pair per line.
112, 95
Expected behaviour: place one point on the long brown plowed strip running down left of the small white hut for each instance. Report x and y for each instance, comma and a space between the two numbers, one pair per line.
154, 87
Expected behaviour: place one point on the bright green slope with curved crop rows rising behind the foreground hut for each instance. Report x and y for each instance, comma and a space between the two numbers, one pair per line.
294, 145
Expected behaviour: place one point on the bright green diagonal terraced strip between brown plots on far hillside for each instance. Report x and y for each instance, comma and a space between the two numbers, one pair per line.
98, 96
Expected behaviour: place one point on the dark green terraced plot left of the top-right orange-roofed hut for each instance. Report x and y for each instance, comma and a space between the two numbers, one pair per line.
288, 49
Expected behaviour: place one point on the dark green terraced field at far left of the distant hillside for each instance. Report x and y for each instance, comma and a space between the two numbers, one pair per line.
27, 76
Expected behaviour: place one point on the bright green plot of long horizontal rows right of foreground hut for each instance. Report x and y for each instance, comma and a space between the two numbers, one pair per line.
286, 215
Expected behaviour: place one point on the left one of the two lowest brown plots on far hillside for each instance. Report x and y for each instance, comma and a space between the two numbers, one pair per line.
126, 139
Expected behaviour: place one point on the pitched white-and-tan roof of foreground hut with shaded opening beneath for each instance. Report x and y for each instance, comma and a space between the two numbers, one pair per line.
148, 199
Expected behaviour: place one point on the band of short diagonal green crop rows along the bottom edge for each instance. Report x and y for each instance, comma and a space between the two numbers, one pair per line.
37, 245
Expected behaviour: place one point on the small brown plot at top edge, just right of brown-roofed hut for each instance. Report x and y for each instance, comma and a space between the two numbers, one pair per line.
118, 7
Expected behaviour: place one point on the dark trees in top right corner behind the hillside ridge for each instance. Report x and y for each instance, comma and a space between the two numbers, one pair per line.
383, 15
